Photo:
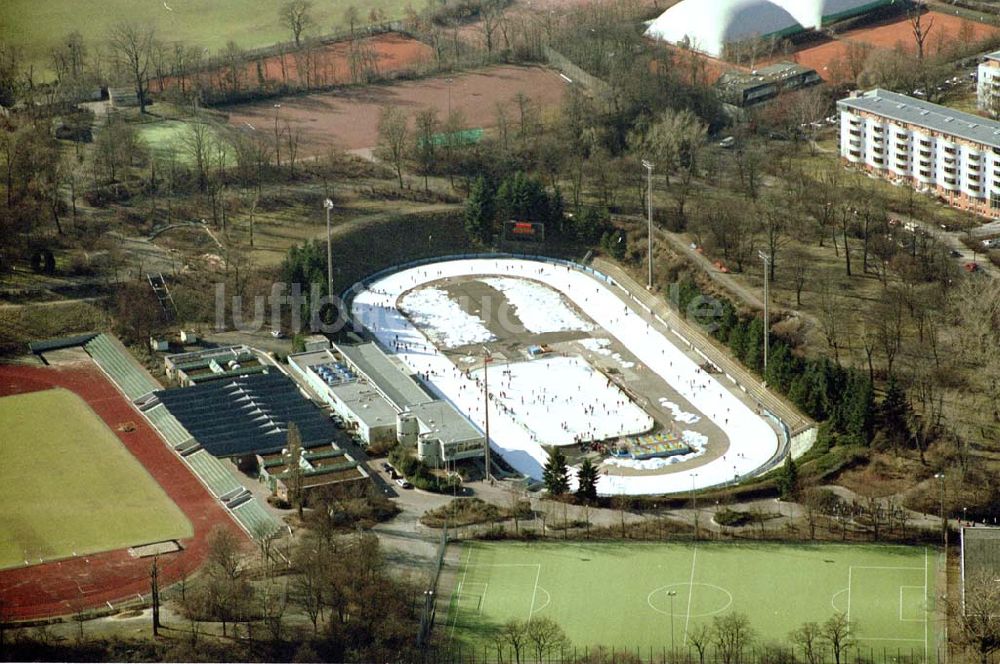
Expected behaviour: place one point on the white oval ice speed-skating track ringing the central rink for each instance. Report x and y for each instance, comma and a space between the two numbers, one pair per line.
752, 441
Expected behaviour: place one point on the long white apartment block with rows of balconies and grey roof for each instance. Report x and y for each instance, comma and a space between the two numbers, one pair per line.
937, 150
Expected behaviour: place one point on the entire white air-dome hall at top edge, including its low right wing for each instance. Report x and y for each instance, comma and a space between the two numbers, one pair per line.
707, 25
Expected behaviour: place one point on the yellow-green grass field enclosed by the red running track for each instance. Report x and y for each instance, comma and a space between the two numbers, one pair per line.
68, 485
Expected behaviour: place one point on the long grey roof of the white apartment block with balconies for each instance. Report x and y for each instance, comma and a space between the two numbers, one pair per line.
925, 114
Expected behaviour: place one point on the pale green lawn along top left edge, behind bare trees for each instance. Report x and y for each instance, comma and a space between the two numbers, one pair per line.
36, 27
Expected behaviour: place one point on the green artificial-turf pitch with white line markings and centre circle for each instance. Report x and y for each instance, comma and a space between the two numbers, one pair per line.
618, 595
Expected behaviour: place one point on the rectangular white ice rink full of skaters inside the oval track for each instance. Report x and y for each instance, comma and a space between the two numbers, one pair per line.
563, 400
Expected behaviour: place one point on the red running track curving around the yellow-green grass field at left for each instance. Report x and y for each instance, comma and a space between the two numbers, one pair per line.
72, 584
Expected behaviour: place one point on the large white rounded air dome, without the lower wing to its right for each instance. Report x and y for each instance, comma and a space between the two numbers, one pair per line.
707, 25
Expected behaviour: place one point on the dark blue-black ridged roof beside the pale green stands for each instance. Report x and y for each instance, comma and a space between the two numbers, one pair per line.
247, 415
